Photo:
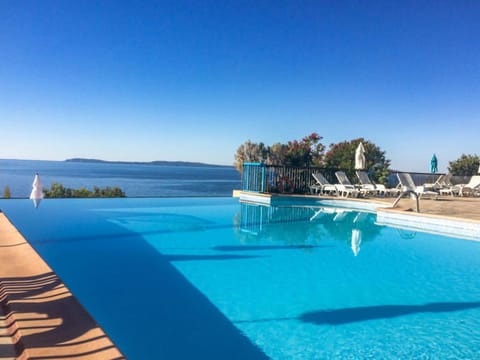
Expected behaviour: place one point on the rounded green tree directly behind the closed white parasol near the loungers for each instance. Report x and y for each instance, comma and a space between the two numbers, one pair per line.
342, 156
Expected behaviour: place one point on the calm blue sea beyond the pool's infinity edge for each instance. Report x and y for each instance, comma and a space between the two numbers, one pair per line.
136, 180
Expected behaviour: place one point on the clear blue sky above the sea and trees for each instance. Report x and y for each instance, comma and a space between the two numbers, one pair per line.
192, 80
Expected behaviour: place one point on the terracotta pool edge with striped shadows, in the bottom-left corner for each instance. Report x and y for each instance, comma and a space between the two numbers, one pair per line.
38, 312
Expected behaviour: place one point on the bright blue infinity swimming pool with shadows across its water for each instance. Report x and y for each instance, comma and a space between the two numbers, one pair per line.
209, 278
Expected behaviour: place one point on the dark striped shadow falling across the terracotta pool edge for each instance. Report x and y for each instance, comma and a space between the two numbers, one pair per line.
45, 321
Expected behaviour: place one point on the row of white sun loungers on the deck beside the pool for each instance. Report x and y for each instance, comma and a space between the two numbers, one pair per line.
366, 187
